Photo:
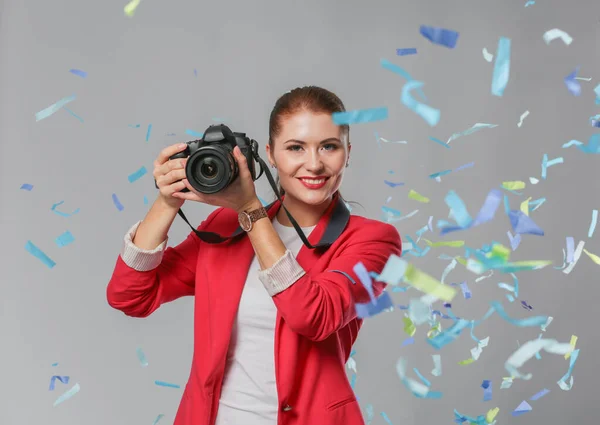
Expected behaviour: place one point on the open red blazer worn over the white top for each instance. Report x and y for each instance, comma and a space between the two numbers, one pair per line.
316, 319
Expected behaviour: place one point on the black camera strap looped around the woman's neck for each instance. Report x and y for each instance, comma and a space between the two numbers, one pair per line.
333, 230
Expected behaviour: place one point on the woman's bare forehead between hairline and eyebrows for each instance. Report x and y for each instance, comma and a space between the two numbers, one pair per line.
308, 126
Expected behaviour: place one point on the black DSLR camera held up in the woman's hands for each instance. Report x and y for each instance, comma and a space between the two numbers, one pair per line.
211, 166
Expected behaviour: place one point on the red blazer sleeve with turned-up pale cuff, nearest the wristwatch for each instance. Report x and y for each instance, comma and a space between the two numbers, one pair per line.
320, 305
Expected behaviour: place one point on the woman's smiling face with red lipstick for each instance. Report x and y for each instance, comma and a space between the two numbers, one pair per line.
310, 156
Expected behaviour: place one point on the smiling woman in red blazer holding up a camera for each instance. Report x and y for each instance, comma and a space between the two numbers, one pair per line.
274, 320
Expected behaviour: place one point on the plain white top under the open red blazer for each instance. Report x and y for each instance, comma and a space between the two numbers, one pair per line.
249, 392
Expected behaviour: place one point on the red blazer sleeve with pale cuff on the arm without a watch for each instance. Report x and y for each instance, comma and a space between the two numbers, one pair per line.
144, 280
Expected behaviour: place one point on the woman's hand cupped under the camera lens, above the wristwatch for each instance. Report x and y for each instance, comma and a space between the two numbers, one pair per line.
240, 194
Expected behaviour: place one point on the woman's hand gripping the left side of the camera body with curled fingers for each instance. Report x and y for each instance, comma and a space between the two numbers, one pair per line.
169, 174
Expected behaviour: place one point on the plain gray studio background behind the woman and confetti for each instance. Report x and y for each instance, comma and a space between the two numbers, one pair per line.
141, 71
